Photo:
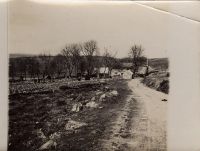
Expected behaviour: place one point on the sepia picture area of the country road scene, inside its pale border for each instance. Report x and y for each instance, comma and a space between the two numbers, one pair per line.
87, 76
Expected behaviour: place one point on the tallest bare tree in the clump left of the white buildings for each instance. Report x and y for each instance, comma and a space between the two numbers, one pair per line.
90, 49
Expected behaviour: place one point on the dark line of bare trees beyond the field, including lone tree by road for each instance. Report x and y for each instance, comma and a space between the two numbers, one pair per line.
75, 60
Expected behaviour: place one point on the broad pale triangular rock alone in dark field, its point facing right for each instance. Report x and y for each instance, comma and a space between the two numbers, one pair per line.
72, 125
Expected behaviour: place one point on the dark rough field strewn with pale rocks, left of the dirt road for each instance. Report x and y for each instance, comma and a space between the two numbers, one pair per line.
63, 115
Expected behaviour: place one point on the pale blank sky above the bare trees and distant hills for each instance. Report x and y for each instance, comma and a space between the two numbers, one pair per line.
36, 28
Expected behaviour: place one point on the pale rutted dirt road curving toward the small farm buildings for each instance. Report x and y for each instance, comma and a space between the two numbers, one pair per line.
141, 123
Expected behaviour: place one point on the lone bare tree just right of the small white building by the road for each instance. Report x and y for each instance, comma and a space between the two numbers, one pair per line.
136, 54
